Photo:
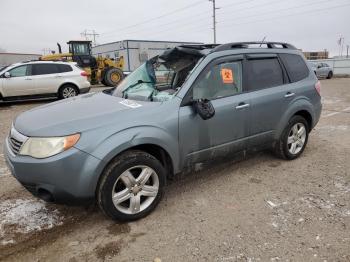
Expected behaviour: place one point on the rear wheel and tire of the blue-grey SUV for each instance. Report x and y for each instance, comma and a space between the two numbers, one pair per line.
293, 139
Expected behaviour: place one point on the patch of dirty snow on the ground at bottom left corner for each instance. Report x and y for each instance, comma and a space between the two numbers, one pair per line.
25, 216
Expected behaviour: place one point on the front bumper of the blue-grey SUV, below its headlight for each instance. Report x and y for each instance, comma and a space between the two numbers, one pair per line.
69, 177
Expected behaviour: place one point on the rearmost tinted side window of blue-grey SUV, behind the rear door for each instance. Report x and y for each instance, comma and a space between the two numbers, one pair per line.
296, 67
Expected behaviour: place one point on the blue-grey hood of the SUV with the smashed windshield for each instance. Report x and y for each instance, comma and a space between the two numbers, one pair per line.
78, 114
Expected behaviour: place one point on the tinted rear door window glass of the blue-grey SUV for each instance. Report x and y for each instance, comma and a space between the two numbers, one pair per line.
264, 73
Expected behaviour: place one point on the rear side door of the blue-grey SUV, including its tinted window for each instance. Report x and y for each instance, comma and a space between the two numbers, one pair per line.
269, 96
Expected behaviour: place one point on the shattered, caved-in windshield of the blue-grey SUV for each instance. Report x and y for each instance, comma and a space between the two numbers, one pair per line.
159, 78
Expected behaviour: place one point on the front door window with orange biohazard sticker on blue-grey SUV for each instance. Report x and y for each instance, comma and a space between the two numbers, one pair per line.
221, 80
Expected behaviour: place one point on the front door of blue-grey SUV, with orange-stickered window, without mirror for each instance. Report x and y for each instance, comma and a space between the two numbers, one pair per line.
226, 132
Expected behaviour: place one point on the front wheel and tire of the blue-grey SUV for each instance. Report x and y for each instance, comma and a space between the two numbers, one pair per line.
131, 186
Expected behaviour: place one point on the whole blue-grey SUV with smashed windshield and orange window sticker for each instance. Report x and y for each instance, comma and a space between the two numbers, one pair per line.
120, 146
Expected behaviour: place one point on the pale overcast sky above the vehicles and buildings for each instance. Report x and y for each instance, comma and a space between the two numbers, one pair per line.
30, 26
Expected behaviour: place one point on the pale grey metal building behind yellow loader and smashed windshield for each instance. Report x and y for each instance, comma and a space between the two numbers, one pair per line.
134, 52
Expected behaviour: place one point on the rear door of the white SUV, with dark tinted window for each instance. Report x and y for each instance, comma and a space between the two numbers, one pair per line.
46, 77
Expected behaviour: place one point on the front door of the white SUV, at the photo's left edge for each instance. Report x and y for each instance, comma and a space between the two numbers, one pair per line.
20, 83
